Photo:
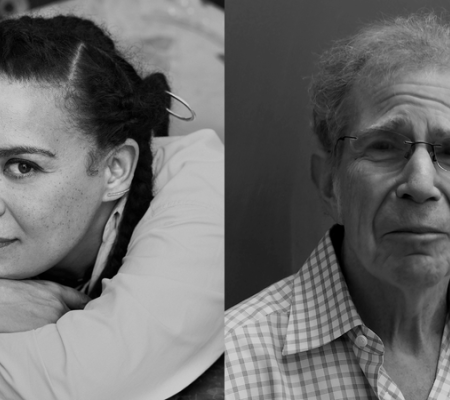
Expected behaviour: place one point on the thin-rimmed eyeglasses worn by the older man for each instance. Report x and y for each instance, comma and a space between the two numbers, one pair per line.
392, 150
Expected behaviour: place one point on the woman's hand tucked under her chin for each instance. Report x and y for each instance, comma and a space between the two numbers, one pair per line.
30, 304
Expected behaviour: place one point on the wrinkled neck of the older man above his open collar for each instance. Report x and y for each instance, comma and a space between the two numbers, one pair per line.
405, 318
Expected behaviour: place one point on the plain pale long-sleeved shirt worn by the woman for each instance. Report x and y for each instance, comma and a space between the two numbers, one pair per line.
158, 324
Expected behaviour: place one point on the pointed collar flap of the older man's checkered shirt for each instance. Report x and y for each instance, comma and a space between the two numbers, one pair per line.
321, 306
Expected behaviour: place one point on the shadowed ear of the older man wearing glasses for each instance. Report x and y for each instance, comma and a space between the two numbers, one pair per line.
321, 175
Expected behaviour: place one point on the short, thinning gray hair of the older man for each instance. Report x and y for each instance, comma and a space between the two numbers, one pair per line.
376, 54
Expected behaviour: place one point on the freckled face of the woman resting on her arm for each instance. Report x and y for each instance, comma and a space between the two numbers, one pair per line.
51, 210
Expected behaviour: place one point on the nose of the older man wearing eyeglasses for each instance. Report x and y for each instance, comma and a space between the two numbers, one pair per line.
418, 179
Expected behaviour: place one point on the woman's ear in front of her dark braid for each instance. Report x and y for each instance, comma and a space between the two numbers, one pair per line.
120, 166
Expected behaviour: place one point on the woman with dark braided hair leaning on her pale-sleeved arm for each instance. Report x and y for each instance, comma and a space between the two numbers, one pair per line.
85, 202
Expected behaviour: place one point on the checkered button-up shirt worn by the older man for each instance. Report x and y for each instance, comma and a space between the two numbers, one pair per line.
302, 338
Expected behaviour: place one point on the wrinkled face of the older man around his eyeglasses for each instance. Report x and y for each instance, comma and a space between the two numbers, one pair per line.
397, 222
